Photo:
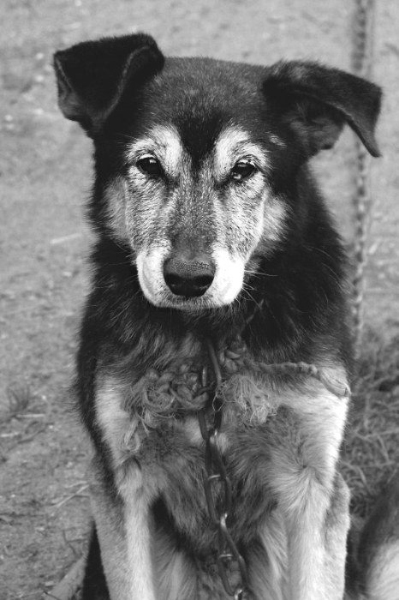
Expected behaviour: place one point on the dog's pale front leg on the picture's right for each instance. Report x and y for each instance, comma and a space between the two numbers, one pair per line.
309, 488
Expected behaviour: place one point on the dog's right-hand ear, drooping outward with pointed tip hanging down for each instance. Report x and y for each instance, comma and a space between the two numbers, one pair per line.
317, 101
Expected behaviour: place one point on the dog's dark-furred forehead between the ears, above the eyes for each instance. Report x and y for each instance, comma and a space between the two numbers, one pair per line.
202, 101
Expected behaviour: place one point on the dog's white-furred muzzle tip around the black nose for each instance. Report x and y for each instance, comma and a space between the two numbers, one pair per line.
201, 282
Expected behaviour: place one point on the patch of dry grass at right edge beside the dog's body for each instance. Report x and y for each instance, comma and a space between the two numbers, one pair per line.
370, 455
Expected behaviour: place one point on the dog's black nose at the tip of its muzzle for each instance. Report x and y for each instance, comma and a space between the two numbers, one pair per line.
189, 276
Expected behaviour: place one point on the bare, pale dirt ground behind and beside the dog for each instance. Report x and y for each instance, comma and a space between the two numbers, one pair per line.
44, 180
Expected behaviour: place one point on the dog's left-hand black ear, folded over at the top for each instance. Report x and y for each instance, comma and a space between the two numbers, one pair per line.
92, 76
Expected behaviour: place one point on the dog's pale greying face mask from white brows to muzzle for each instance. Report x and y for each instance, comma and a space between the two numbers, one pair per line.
194, 228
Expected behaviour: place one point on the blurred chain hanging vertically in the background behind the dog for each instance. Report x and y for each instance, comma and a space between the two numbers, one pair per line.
362, 65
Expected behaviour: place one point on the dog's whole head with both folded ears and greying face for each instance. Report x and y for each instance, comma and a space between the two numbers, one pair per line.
196, 158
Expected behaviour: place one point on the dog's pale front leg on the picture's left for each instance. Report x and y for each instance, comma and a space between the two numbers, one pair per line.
132, 498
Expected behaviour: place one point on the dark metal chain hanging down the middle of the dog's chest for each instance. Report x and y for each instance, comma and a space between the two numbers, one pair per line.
218, 490
